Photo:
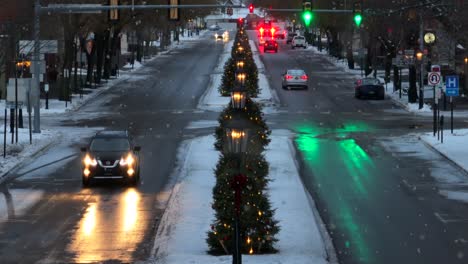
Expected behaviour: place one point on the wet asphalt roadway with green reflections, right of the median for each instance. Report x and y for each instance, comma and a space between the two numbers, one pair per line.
371, 182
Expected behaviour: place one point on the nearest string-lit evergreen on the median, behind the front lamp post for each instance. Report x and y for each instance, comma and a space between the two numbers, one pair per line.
258, 228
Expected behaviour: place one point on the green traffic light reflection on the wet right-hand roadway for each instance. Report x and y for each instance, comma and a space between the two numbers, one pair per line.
329, 159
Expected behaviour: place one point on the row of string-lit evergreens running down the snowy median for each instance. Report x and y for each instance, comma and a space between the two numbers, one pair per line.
241, 180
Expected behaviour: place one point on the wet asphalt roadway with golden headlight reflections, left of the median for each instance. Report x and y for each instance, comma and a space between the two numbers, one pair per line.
110, 222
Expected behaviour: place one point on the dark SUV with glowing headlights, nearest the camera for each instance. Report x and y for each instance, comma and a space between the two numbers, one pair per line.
111, 155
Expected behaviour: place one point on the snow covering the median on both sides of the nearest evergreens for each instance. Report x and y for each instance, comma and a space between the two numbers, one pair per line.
181, 236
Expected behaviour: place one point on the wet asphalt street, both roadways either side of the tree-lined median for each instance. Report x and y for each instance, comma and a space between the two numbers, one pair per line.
370, 180
